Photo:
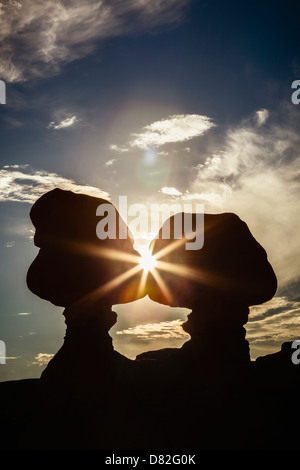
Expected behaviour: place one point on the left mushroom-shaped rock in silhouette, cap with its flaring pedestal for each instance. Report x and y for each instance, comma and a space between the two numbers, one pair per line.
87, 275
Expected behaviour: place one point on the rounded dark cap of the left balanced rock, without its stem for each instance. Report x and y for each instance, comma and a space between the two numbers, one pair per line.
73, 262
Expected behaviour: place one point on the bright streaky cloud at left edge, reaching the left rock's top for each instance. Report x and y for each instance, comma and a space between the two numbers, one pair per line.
21, 183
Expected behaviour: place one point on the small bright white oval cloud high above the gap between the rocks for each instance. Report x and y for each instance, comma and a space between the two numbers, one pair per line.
176, 128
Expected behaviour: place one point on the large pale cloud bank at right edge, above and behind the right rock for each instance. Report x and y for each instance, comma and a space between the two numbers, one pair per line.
254, 171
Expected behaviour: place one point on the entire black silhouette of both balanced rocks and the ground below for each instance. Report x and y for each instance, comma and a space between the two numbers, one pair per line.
206, 395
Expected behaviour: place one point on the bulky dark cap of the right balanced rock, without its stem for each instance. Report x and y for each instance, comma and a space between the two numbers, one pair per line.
231, 264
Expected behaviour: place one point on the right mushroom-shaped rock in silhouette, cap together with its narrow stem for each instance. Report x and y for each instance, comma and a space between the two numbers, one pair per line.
218, 282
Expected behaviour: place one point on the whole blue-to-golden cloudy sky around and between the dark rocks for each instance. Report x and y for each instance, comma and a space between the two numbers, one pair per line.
162, 101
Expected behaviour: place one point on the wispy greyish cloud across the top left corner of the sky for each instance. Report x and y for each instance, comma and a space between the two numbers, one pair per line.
39, 37
